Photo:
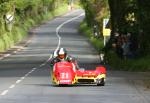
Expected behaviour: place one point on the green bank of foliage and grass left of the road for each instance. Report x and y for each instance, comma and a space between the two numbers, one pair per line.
26, 14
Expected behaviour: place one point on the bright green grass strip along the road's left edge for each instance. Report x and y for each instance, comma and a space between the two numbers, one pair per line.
19, 31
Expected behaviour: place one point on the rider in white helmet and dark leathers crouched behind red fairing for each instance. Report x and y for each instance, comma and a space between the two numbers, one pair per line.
61, 55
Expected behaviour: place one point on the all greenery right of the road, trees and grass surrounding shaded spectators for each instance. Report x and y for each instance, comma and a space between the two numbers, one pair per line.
126, 16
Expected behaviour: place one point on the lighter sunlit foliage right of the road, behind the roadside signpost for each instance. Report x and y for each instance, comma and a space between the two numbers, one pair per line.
95, 11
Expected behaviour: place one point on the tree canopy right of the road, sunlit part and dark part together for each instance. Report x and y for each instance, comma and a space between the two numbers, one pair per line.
126, 16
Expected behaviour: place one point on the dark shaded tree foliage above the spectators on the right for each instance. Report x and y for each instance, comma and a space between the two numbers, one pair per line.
132, 16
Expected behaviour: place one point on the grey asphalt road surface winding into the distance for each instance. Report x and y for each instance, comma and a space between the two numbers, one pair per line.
25, 77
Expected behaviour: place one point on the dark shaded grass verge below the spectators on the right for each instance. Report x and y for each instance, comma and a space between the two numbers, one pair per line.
137, 64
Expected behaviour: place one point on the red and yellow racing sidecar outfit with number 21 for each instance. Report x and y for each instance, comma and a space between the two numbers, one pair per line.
66, 73
